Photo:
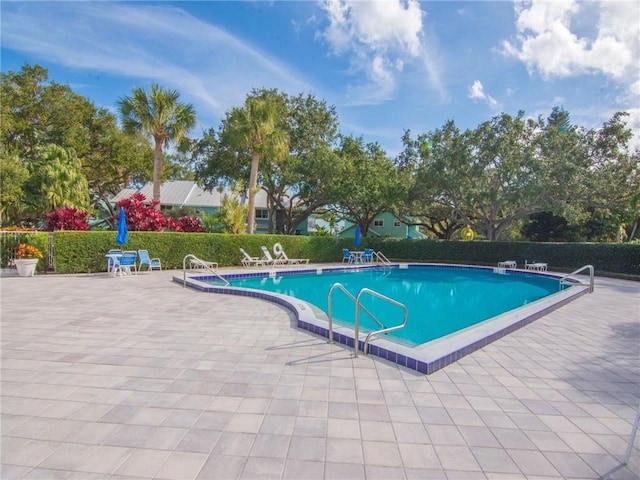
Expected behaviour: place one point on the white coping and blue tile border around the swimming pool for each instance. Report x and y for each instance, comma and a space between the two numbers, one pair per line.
426, 358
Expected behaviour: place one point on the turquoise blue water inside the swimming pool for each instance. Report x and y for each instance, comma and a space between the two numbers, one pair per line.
441, 300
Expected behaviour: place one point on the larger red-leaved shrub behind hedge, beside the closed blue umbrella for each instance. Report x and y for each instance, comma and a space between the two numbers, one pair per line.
144, 217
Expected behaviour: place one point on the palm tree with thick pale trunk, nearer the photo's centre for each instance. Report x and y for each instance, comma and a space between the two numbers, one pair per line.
256, 127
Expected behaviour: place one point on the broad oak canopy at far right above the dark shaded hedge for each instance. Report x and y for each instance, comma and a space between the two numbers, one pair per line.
510, 168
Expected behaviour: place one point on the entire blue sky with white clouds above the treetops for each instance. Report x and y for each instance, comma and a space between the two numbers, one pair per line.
386, 66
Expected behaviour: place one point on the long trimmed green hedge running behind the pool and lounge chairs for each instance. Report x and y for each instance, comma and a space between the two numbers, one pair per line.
83, 252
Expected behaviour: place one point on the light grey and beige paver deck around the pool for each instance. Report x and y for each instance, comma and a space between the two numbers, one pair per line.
130, 378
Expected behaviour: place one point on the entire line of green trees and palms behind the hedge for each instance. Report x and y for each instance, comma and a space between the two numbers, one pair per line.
509, 177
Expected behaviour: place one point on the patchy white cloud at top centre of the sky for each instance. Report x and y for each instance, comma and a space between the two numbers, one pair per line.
381, 38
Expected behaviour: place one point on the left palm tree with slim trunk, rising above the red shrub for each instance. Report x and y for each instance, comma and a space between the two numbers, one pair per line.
158, 115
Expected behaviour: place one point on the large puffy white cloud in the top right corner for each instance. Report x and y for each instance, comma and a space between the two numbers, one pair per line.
546, 42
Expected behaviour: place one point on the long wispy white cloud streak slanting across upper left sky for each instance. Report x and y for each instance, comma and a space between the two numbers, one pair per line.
210, 67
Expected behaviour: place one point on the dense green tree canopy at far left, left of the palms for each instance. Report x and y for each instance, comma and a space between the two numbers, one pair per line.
38, 114
